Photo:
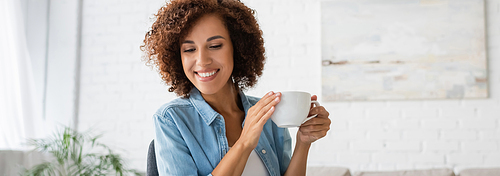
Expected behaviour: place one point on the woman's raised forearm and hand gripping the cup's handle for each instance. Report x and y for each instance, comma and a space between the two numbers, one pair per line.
309, 132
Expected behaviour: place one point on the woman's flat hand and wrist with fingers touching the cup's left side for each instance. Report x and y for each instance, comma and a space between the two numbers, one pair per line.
256, 117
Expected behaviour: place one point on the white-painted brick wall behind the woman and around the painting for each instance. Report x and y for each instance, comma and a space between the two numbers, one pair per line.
119, 93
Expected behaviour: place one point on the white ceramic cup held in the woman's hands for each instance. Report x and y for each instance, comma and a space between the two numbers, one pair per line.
293, 109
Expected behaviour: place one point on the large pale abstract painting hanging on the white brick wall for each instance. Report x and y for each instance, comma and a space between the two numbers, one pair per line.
403, 49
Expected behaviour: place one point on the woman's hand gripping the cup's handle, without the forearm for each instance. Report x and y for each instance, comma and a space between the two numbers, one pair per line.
315, 128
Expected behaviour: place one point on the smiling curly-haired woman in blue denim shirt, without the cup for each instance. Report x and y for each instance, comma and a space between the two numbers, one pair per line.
209, 52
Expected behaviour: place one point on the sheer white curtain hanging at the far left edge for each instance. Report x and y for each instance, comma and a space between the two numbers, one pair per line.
20, 117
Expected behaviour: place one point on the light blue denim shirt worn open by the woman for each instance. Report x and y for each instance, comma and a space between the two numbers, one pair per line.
191, 138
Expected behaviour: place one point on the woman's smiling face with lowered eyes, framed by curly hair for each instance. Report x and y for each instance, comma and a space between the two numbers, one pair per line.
207, 55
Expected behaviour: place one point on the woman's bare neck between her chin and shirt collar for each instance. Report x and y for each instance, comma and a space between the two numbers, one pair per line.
226, 100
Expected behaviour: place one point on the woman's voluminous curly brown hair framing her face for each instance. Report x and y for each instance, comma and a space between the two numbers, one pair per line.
173, 22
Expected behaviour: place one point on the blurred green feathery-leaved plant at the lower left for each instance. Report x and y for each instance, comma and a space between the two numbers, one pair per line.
76, 154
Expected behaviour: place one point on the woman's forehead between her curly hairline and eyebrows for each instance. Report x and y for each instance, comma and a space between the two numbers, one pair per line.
207, 26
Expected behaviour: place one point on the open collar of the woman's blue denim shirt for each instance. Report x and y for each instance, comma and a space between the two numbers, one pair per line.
205, 110
